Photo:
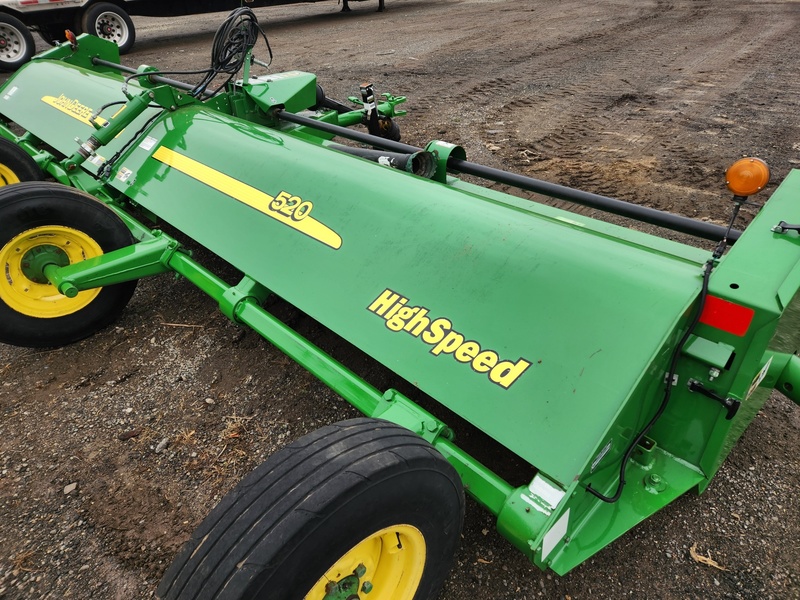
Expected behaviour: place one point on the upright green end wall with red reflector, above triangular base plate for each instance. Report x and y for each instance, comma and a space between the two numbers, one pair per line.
732, 362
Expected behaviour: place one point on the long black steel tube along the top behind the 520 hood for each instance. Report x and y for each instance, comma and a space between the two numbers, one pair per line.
706, 231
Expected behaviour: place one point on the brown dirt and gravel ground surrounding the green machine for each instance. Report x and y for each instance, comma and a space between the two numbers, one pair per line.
645, 100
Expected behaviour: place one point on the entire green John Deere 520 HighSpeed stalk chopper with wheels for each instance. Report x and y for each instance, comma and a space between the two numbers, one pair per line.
622, 367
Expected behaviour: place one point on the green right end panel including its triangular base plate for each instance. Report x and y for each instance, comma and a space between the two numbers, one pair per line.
692, 439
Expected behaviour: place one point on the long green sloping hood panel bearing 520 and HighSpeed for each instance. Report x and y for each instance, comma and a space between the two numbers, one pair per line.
541, 323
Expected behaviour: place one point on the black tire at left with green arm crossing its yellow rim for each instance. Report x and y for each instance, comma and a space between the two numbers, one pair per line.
26, 206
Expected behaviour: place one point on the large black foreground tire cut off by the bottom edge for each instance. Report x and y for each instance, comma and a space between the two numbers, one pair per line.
285, 524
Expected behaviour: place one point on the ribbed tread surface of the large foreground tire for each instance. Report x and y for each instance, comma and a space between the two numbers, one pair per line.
253, 510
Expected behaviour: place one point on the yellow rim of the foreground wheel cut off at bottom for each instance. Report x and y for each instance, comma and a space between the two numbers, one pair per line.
392, 561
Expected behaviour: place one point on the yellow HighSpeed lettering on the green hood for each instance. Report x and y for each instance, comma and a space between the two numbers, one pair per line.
443, 338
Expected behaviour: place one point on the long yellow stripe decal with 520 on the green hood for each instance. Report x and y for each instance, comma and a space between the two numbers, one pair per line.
285, 208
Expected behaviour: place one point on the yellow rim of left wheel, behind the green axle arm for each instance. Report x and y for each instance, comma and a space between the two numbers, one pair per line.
39, 299
